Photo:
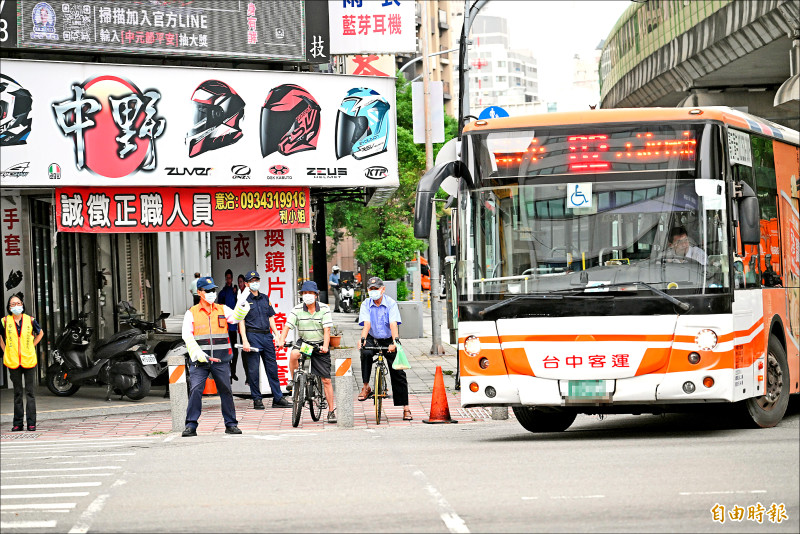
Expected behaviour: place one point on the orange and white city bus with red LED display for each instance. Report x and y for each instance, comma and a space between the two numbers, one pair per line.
625, 261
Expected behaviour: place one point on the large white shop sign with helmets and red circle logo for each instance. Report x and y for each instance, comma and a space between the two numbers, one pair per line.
79, 124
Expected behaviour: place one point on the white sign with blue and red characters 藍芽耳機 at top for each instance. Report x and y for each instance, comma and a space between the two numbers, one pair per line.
372, 26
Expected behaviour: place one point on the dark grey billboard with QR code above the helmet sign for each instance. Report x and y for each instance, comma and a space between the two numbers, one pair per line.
222, 28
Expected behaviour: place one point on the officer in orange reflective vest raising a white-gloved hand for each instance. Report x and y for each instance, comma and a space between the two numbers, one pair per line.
205, 332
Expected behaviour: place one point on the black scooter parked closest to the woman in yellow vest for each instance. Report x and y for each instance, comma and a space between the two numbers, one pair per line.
121, 362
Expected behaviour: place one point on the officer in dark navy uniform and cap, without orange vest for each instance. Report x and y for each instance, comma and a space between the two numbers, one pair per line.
256, 330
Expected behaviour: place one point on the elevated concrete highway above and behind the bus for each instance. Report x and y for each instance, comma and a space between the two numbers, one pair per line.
735, 53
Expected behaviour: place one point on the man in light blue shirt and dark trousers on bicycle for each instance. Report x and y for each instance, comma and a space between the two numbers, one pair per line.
380, 317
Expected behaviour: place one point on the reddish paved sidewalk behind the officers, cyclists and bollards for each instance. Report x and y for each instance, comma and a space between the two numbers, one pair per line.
87, 412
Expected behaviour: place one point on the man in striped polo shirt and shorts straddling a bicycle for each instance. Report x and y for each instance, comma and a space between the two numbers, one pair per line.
312, 321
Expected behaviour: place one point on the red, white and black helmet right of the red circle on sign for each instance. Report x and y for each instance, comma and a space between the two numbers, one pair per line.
217, 113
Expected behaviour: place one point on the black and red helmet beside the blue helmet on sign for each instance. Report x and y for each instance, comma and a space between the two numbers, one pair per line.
290, 121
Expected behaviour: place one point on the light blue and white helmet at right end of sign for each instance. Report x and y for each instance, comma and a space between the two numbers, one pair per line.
362, 124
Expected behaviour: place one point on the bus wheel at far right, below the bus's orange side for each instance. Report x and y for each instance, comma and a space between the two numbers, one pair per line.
768, 410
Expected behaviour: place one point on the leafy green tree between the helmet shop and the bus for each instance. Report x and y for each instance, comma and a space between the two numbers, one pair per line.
384, 235
